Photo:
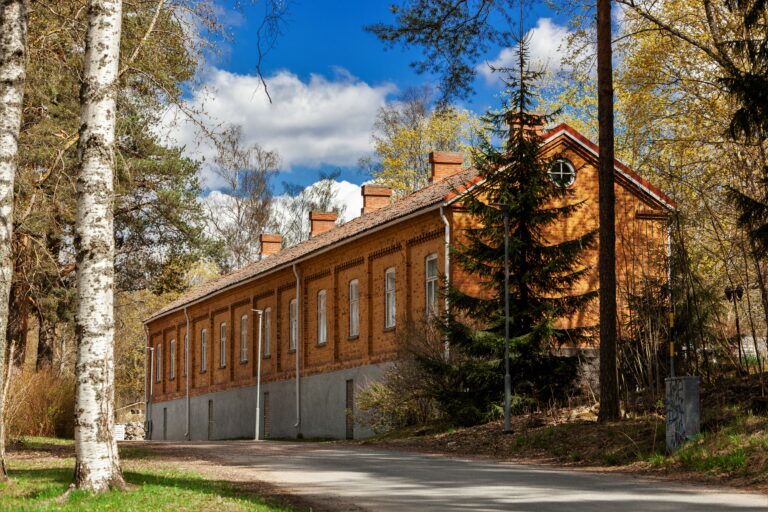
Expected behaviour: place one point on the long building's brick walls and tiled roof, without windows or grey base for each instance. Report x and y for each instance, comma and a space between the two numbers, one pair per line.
399, 239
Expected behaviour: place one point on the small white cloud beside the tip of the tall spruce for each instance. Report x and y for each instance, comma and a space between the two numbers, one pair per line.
547, 49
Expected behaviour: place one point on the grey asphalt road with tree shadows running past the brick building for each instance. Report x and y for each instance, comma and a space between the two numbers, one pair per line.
354, 478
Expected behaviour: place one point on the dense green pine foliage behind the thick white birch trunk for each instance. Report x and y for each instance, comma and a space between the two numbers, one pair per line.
158, 219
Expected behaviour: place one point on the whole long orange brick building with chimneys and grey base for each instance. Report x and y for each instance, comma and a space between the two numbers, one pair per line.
334, 304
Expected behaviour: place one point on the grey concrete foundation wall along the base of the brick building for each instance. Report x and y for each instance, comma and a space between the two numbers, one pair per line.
231, 414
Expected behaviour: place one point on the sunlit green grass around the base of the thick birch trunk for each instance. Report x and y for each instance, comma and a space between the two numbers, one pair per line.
40, 473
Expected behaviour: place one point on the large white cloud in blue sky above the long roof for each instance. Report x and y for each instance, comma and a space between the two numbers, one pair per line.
311, 123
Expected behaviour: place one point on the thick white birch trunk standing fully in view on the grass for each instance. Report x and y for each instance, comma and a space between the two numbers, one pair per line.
97, 463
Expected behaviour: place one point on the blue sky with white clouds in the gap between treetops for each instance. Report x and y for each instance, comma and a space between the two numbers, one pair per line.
328, 76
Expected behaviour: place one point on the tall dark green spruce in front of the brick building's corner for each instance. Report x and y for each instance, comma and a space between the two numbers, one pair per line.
543, 268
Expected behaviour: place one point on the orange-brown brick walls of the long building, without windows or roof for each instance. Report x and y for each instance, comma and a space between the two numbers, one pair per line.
641, 250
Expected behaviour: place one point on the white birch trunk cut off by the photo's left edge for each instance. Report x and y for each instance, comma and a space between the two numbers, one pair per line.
13, 55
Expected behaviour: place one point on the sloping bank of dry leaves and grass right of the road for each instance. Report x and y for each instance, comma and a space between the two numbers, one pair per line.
731, 450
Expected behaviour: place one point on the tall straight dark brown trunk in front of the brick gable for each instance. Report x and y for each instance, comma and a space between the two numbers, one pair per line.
609, 388
